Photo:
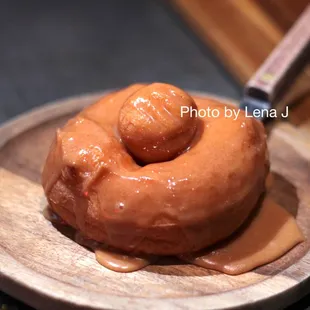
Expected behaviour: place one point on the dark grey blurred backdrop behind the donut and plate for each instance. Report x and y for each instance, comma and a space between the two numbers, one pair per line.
55, 49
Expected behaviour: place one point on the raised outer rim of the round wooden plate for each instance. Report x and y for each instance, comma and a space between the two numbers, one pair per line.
9, 276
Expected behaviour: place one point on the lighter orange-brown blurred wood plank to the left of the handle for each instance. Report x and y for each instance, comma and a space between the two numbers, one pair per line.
239, 31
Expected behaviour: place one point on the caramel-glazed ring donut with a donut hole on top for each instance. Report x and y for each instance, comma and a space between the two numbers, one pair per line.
103, 177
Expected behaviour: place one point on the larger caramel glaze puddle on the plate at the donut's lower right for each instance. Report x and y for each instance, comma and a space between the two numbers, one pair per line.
267, 235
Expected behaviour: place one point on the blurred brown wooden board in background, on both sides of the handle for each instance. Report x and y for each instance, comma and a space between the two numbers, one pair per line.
243, 33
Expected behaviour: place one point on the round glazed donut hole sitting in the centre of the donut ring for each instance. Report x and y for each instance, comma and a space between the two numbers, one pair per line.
152, 124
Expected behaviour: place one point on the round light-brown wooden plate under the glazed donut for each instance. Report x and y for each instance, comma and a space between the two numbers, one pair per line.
43, 267
